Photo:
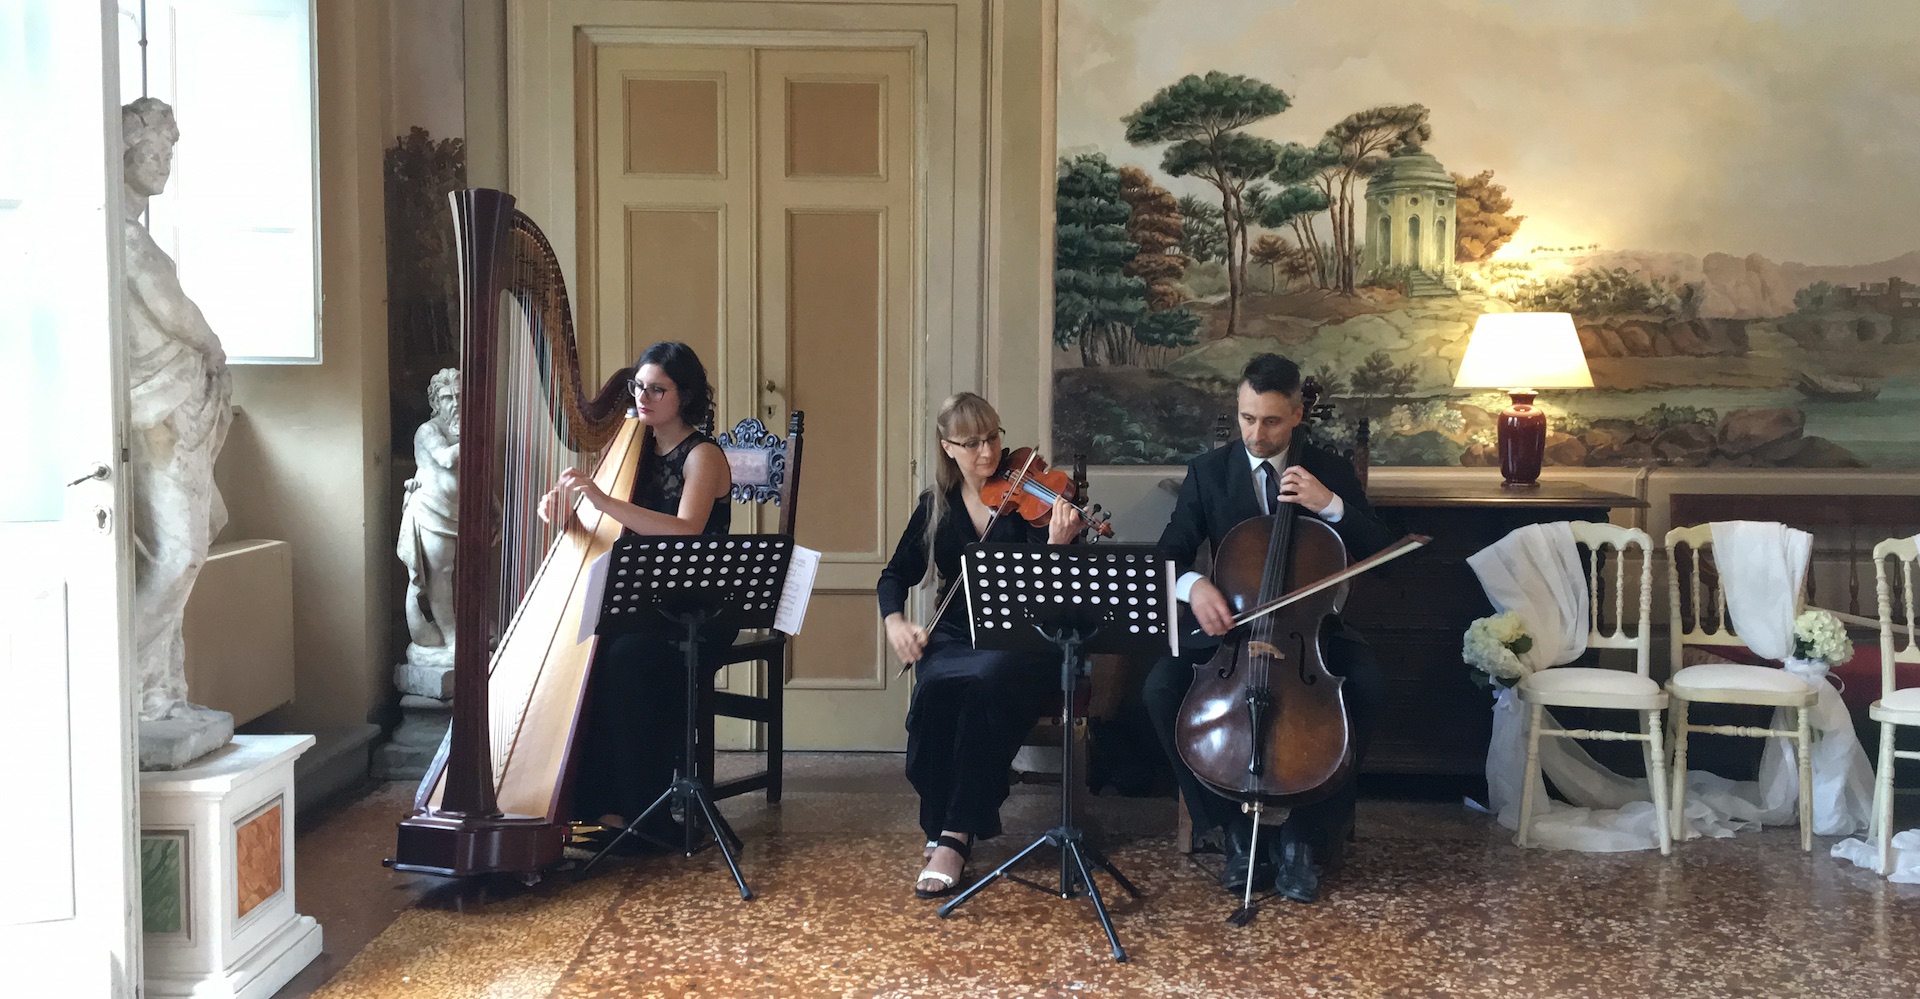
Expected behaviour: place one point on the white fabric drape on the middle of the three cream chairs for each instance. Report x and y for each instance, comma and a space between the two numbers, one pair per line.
1762, 573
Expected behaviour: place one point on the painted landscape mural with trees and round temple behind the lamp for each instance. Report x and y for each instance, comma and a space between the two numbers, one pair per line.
1723, 193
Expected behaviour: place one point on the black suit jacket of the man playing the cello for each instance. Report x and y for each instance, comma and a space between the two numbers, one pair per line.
1220, 495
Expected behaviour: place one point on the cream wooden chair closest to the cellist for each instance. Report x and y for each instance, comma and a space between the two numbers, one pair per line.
1606, 689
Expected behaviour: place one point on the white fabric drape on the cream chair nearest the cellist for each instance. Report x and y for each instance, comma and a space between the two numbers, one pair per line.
1535, 573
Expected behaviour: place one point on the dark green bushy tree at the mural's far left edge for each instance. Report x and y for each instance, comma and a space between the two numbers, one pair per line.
1095, 299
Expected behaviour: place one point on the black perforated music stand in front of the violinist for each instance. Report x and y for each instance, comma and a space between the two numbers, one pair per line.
1076, 600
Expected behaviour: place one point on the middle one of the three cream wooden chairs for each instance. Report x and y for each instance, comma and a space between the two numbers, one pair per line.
1689, 550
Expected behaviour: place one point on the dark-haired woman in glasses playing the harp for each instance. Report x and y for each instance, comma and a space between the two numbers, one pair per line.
635, 712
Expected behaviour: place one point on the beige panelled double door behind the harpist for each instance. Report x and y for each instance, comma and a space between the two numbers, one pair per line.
761, 207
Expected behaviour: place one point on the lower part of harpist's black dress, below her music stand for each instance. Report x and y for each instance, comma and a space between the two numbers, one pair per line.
636, 721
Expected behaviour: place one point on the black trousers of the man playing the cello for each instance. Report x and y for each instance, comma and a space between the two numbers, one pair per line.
1366, 689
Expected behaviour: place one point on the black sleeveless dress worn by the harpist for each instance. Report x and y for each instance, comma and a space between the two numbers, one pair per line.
635, 721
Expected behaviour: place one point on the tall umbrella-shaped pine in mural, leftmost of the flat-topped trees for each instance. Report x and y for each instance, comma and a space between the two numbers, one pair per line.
1201, 120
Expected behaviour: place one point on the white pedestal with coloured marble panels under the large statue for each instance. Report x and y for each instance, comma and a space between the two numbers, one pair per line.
218, 873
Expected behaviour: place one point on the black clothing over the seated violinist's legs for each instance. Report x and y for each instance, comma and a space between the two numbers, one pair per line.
971, 714
